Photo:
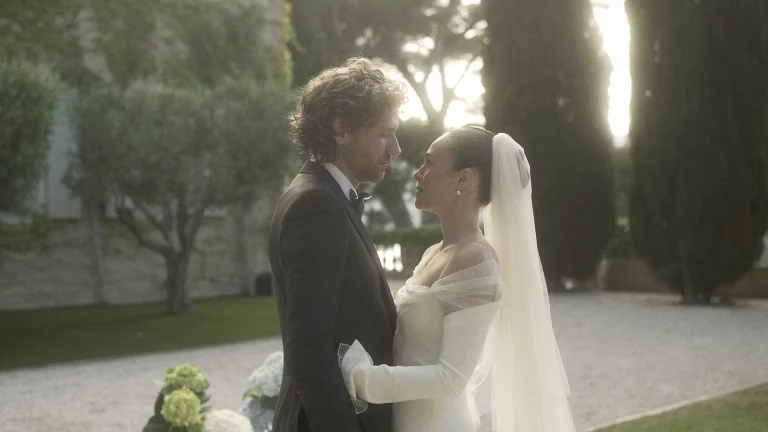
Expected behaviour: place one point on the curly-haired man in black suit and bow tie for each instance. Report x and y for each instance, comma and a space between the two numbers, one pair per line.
330, 287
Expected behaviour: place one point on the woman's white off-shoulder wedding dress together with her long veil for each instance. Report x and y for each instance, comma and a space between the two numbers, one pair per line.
486, 324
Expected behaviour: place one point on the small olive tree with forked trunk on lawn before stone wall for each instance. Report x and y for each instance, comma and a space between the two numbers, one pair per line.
159, 158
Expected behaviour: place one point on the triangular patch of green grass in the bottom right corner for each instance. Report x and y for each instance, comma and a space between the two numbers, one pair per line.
745, 411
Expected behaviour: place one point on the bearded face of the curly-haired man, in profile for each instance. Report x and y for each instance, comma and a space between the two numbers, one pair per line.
367, 152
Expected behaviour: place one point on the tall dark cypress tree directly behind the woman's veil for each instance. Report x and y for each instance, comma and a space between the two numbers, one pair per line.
546, 85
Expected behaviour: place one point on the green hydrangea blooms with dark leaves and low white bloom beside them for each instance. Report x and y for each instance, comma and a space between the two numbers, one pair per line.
180, 406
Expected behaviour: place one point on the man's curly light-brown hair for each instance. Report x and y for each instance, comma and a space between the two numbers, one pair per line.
357, 92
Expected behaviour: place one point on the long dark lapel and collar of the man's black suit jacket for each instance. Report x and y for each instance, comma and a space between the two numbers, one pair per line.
315, 168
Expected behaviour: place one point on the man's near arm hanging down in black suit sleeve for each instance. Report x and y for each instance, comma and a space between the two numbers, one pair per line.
313, 291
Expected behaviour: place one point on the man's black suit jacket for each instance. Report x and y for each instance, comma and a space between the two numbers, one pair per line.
330, 289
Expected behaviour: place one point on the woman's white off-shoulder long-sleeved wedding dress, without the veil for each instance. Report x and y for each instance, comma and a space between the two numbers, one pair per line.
439, 348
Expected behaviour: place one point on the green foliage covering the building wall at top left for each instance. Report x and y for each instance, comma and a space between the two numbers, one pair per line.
176, 41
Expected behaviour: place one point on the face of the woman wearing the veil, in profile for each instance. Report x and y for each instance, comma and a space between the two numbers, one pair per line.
436, 180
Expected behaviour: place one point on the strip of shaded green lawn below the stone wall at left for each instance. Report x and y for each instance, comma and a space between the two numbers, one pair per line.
33, 338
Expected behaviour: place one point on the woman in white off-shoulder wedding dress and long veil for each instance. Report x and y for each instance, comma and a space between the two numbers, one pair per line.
474, 317
